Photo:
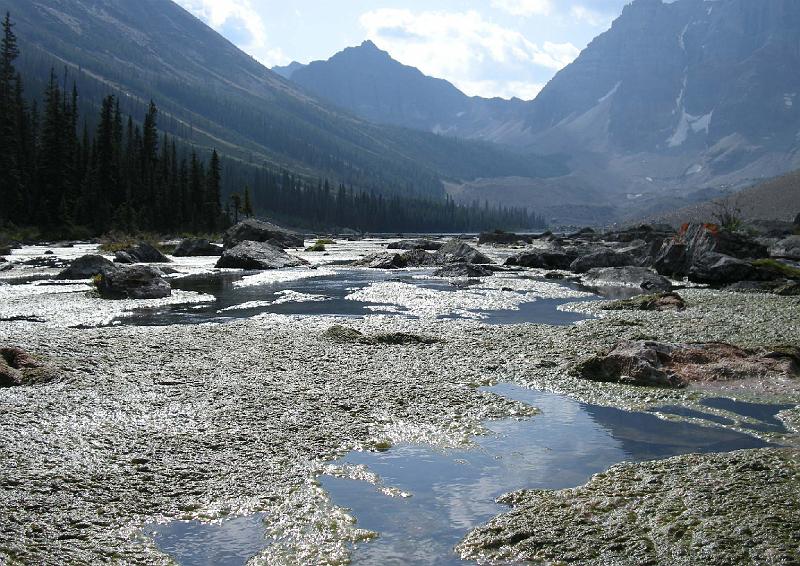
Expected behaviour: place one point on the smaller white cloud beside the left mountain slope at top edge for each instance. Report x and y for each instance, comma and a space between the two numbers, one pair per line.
221, 13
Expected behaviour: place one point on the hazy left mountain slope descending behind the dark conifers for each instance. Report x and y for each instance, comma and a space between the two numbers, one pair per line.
211, 94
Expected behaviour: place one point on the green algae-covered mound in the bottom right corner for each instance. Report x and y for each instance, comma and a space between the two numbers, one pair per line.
740, 507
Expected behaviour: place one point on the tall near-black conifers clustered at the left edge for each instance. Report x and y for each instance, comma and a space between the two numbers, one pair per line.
120, 176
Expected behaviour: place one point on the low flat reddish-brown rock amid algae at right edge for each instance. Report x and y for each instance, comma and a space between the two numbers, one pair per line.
670, 365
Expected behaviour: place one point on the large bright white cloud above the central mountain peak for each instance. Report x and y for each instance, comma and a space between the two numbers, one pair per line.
458, 46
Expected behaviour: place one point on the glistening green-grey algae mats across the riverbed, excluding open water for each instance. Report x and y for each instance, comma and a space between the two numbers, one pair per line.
207, 421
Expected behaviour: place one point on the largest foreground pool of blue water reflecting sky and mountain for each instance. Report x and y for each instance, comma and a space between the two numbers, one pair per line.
454, 491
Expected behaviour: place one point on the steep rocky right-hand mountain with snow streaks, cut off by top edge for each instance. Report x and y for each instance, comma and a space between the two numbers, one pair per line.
685, 94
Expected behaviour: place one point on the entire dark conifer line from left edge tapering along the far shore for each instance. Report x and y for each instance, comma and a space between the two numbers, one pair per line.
65, 177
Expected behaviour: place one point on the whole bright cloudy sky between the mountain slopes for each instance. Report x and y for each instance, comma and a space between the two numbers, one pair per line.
487, 48
